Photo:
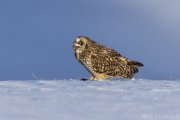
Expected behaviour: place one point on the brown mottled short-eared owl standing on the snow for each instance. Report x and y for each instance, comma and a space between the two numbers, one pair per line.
103, 62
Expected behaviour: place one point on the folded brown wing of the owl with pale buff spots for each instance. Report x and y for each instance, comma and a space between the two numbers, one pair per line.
111, 63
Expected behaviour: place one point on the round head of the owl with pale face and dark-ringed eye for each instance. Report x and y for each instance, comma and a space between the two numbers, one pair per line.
81, 43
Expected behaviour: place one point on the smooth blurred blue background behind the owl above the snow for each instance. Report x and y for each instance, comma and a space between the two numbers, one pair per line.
36, 36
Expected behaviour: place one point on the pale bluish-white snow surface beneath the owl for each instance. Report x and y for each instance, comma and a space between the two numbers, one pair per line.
90, 100
